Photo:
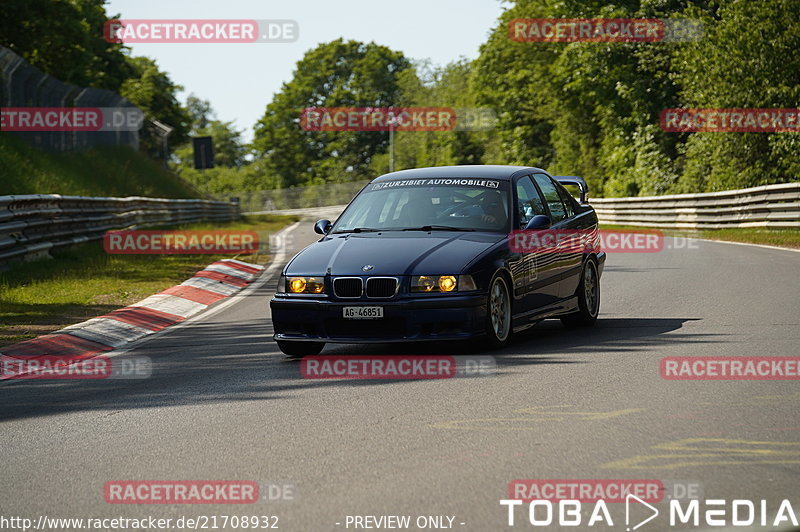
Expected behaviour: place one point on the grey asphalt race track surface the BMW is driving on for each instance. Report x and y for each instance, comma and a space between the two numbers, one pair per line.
223, 404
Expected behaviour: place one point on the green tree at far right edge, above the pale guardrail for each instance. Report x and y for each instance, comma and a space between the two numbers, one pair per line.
748, 59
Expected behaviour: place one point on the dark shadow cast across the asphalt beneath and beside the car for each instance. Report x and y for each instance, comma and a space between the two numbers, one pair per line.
223, 363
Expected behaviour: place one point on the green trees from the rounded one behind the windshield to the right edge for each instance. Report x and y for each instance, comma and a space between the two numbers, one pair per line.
585, 108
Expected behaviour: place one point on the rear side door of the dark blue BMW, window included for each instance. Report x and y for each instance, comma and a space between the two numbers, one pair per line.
564, 258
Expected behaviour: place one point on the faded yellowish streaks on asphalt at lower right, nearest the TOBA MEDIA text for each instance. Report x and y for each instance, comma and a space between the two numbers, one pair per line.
695, 452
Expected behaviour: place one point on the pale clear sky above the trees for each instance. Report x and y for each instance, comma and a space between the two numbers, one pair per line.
240, 79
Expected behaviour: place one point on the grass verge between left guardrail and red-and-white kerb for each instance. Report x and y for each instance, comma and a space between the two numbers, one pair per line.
83, 281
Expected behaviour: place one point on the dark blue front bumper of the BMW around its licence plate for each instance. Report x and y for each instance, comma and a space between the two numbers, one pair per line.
404, 320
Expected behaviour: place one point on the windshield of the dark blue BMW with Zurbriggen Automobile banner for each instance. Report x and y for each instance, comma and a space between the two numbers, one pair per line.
428, 204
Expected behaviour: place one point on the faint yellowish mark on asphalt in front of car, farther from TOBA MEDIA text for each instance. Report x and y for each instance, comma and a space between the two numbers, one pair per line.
531, 418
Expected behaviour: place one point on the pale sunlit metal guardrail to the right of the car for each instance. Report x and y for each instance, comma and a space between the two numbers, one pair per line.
769, 206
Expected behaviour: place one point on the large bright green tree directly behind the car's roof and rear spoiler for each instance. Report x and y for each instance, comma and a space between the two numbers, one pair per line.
588, 108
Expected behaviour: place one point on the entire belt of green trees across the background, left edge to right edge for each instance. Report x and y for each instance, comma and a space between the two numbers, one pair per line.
585, 108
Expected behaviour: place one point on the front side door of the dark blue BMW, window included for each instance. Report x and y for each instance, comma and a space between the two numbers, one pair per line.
539, 280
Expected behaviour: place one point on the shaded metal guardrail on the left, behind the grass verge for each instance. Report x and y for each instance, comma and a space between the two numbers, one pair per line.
31, 225
